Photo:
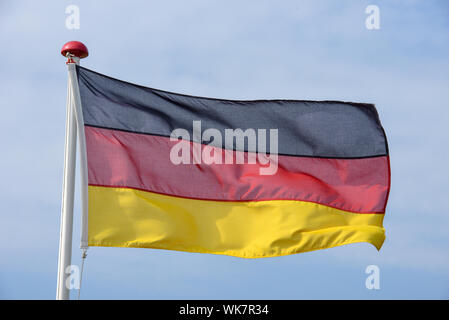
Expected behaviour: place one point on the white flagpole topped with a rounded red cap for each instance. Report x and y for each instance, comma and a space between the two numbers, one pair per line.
74, 51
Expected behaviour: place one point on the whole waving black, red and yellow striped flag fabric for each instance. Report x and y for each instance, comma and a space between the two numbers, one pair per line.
250, 179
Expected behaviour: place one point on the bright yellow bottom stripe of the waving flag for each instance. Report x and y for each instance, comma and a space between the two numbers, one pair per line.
121, 217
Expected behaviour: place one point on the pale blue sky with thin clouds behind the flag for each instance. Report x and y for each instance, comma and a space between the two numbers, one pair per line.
308, 50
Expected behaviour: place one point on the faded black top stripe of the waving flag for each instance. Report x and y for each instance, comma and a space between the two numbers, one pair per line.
324, 129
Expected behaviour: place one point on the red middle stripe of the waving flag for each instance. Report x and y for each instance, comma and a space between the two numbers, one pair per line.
140, 161
